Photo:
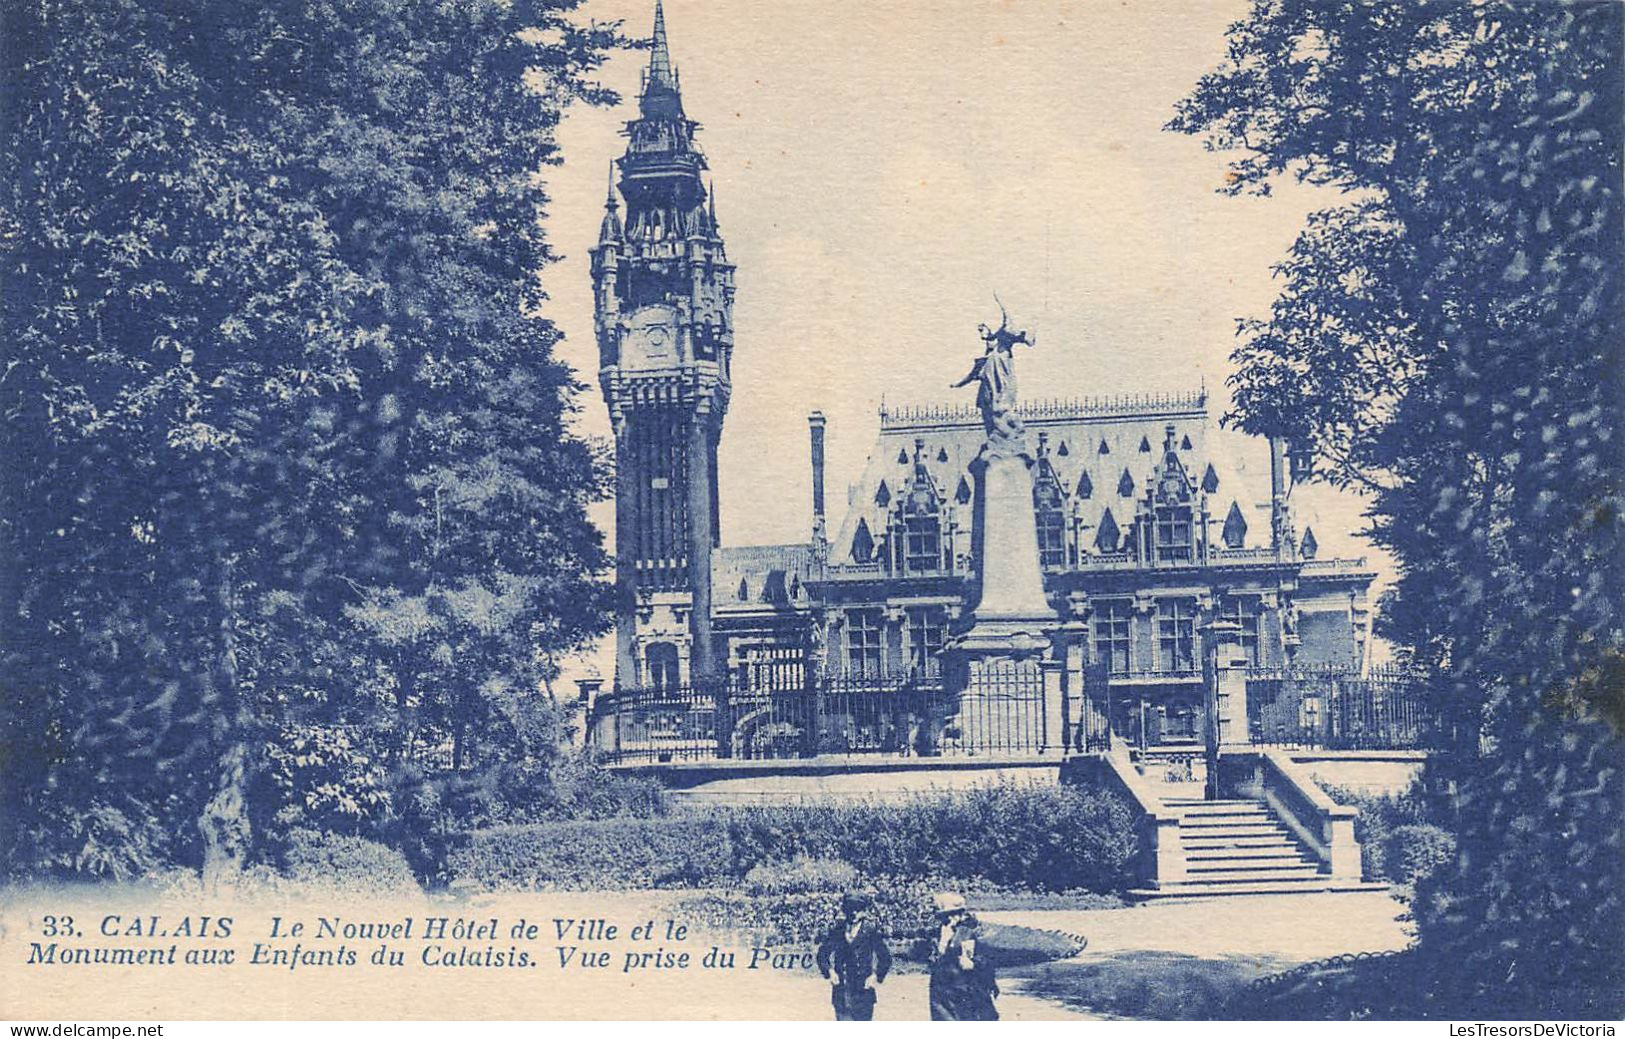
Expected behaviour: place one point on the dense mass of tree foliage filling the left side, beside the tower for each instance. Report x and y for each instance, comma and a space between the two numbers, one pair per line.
292, 502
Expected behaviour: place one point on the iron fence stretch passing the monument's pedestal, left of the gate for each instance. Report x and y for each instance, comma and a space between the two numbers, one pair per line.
901, 716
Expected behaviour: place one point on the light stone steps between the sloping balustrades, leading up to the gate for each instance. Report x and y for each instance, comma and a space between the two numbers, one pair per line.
1241, 848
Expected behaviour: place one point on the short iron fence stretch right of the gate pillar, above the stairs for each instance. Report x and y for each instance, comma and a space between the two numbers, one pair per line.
1340, 710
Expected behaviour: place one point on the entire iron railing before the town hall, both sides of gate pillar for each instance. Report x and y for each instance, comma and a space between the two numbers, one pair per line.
1000, 711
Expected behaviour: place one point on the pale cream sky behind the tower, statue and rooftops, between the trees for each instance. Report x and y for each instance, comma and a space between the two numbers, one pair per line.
883, 168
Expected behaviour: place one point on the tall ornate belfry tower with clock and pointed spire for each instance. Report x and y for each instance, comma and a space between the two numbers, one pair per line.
664, 297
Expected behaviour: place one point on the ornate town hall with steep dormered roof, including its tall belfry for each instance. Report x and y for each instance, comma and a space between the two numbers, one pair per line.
1150, 519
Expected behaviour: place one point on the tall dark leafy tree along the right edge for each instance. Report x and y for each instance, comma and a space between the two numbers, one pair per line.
1447, 339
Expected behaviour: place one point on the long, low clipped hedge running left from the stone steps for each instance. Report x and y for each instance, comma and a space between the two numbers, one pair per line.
1012, 837
